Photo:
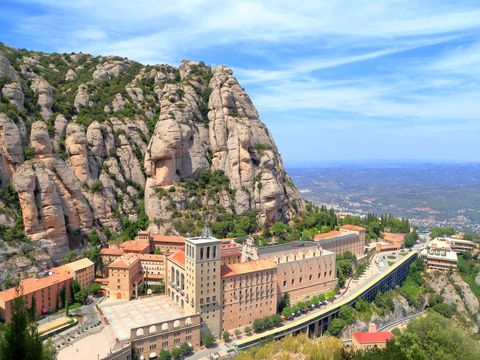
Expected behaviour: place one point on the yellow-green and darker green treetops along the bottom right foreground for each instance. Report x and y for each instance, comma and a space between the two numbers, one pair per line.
426, 338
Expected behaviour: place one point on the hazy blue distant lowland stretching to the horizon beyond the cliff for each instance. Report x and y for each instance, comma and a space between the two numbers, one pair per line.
430, 194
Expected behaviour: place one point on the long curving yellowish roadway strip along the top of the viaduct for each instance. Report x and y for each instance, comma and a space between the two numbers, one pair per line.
299, 324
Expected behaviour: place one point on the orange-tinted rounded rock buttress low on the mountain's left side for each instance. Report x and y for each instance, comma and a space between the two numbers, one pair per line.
50, 195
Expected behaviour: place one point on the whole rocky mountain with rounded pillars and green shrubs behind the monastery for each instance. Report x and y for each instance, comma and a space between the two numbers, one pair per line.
108, 145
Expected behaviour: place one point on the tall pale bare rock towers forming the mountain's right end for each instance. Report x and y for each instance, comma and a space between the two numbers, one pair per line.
240, 144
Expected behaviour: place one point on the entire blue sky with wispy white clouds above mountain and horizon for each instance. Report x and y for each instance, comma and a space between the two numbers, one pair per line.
333, 80
